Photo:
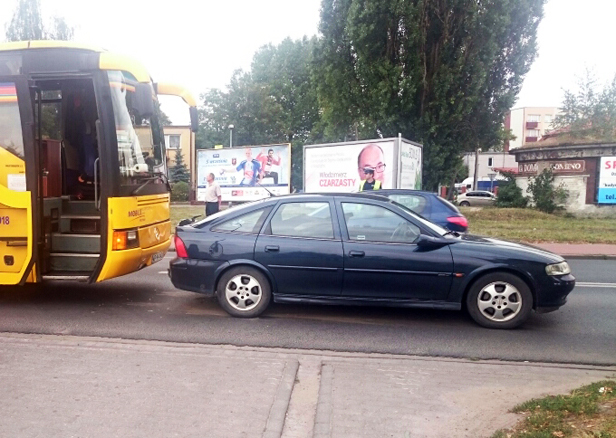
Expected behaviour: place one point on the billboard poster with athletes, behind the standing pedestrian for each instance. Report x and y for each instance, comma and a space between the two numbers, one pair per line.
245, 173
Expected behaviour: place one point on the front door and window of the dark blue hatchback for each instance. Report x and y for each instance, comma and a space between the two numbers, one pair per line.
382, 260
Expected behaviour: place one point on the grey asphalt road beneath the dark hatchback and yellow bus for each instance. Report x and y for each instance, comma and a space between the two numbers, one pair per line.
145, 305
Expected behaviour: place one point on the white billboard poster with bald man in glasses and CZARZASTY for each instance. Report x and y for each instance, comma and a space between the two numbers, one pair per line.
339, 168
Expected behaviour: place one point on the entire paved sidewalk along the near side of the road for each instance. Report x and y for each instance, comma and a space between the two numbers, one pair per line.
59, 386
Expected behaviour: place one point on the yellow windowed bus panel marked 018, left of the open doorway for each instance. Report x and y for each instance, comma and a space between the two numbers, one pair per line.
18, 182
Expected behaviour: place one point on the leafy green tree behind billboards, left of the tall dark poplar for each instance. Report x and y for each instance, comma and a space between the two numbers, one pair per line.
276, 102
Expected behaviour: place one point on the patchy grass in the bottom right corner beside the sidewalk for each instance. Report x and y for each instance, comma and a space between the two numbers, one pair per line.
586, 412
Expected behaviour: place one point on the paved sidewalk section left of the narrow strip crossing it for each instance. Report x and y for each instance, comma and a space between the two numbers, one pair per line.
54, 387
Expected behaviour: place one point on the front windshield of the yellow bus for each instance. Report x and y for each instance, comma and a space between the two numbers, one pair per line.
140, 140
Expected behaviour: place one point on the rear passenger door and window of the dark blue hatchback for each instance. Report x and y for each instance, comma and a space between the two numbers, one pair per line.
301, 247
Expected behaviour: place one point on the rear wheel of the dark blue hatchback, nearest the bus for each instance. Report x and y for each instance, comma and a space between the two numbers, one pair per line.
244, 292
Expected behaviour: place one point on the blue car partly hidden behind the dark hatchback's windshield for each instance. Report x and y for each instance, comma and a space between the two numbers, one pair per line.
429, 205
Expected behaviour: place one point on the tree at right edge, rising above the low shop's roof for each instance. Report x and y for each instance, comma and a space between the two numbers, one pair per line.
588, 112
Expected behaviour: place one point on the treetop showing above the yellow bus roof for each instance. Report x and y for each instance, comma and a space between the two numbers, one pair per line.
27, 24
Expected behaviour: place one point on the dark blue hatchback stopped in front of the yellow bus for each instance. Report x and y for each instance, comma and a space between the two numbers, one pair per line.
361, 249
